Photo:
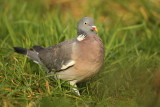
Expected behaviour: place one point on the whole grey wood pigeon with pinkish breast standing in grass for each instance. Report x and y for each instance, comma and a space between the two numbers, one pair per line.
73, 60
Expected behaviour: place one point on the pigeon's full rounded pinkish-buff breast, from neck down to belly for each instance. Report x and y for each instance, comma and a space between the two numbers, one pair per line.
88, 55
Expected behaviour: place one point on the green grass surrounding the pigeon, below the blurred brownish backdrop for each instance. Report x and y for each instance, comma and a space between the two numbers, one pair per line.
127, 77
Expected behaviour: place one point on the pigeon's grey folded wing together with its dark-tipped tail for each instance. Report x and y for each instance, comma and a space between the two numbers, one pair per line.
53, 57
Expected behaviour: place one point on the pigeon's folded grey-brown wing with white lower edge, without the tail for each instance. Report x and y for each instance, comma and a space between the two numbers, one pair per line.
57, 57
